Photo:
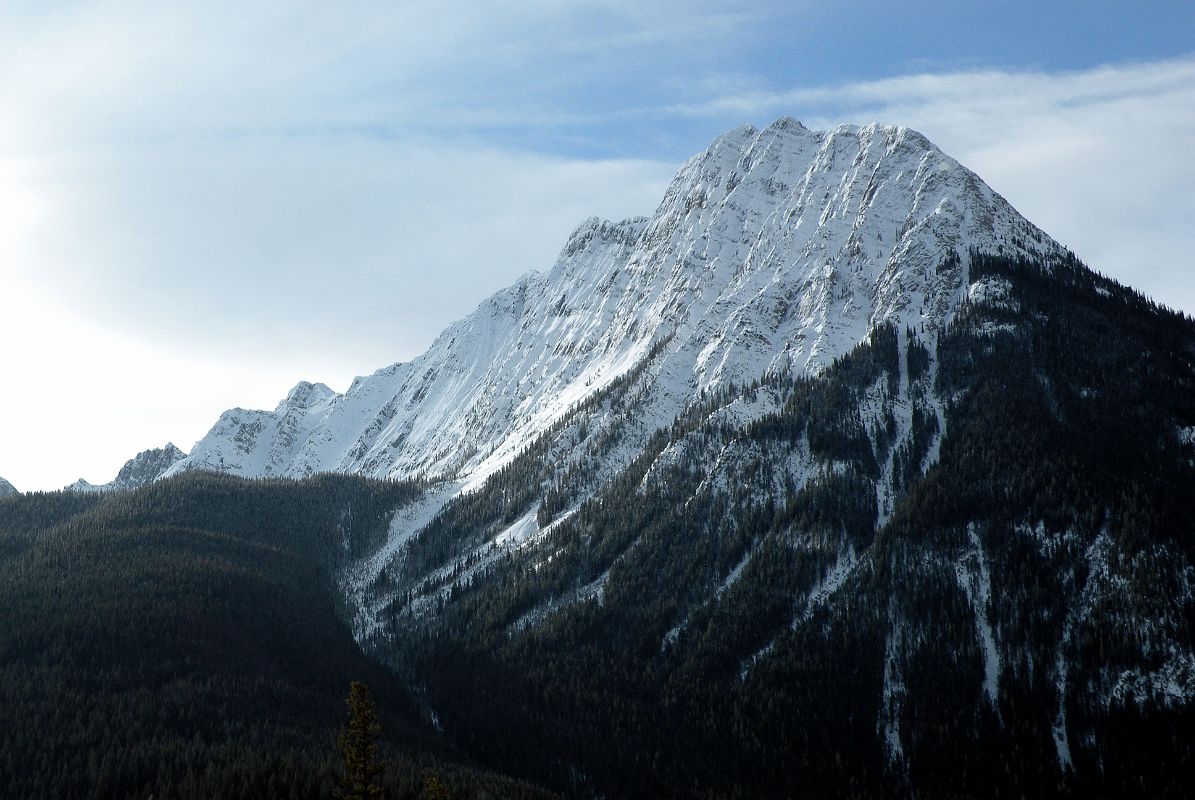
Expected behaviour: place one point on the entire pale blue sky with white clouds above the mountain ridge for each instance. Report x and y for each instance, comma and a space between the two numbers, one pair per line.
204, 204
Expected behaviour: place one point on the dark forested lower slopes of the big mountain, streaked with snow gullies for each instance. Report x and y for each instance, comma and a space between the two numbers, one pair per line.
961, 570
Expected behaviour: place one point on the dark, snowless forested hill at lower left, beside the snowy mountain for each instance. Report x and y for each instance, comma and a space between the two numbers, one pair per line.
187, 642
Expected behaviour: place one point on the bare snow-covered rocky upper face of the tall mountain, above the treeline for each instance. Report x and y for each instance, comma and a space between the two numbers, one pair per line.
773, 251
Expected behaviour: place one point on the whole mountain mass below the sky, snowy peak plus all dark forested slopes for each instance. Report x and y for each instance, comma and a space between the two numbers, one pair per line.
835, 478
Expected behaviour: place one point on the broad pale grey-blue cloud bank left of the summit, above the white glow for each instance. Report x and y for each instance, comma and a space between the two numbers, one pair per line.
370, 242
